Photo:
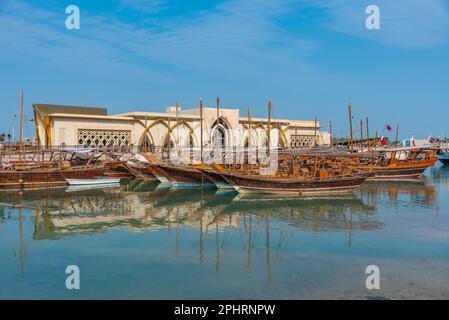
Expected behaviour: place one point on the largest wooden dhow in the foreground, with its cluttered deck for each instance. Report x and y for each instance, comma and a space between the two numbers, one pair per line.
300, 173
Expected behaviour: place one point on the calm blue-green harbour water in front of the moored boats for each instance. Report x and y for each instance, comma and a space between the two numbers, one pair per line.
138, 241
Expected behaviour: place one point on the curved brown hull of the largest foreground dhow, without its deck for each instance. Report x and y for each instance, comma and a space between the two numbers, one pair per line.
261, 184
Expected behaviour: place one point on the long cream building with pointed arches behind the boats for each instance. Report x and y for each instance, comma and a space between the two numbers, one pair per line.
93, 127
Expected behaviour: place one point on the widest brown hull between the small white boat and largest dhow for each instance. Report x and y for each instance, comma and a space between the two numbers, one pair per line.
182, 176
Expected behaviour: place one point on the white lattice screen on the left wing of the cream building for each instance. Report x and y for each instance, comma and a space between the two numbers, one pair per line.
103, 138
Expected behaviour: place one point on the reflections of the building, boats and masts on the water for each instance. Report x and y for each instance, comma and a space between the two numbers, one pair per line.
265, 223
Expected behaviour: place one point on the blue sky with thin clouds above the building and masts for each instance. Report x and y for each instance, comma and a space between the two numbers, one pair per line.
310, 57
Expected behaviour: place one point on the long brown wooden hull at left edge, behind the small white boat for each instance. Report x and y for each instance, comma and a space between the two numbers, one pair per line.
42, 178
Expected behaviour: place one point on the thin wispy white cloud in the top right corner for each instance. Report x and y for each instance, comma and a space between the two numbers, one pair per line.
404, 23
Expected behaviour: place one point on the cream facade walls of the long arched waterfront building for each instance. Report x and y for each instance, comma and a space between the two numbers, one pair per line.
156, 125
